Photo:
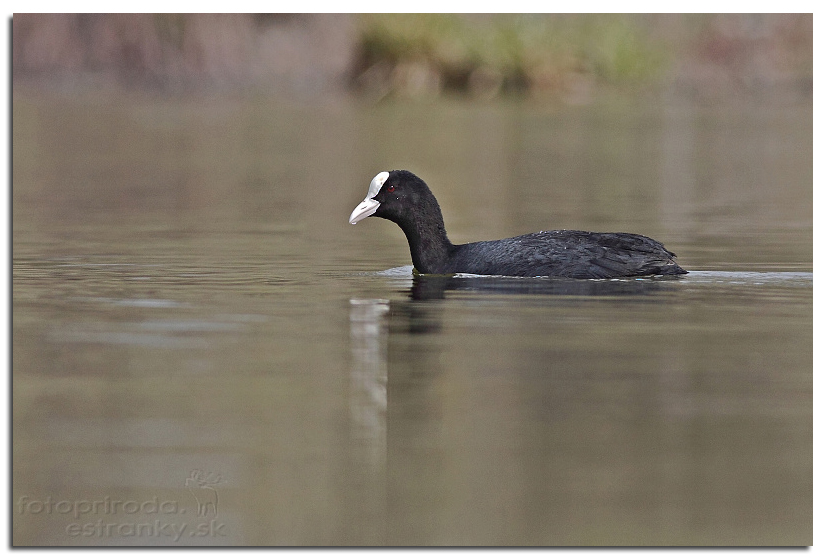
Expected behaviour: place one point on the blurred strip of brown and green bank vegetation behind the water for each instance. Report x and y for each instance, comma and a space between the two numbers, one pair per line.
562, 57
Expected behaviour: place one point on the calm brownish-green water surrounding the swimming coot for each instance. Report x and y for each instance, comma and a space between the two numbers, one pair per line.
205, 352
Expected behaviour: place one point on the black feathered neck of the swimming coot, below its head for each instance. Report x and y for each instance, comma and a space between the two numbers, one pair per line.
430, 248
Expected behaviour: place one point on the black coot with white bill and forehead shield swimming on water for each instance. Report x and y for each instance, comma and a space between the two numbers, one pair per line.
405, 199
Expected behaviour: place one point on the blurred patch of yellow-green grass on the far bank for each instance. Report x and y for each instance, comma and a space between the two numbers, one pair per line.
516, 53
